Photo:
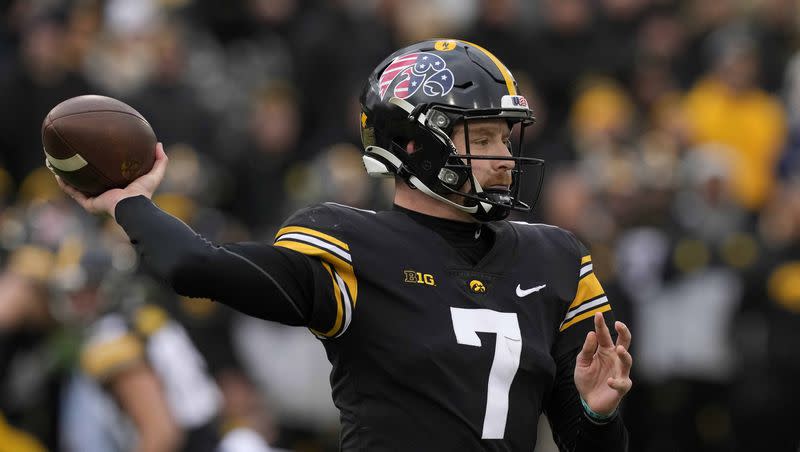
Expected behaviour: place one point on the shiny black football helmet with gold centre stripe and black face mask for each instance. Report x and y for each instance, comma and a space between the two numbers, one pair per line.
420, 93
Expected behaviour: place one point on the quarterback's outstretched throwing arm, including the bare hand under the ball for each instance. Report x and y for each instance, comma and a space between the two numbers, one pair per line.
270, 282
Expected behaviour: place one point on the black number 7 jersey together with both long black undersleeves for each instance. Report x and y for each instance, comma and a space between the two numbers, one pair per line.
430, 352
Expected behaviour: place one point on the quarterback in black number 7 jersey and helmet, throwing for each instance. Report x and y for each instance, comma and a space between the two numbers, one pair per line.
449, 328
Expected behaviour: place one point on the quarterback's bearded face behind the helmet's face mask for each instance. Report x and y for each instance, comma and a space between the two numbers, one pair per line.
487, 137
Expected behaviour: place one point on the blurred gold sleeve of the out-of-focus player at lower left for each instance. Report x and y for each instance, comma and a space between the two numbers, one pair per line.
110, 348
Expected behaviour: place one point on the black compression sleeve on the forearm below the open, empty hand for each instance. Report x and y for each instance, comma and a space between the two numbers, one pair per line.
572, 429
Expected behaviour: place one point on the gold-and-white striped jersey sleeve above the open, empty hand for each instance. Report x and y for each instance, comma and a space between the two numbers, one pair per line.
589, 299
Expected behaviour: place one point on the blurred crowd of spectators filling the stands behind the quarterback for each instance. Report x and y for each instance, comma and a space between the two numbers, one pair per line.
671, 131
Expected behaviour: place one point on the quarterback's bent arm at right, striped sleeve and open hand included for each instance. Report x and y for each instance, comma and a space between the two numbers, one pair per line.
593, 373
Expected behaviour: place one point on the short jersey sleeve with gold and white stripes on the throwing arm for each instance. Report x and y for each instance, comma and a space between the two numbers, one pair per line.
319, 233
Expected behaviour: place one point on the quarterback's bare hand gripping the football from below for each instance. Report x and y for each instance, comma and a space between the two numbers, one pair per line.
106, 202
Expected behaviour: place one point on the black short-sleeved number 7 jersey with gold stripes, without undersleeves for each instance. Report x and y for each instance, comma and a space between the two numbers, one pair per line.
430, 352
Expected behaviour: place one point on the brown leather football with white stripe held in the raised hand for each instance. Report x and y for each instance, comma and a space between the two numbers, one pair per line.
96, 143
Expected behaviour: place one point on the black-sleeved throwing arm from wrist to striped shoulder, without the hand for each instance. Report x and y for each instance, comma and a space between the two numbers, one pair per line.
304, 279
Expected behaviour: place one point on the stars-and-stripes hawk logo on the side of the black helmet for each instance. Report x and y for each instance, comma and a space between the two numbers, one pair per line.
408, 73
